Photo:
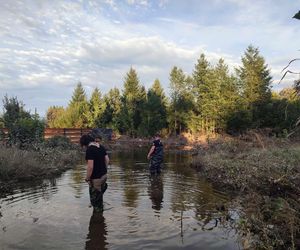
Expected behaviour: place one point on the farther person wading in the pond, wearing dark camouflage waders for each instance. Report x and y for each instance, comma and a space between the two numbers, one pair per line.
156, 155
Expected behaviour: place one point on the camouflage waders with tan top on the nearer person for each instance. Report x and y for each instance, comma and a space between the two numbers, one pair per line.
96, 190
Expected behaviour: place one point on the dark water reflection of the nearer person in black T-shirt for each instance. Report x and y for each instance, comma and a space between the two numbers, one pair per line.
96, 238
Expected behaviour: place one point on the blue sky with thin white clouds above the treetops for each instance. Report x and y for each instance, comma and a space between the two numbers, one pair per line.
48, 46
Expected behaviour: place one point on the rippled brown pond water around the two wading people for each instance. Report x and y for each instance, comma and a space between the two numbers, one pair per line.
176, 210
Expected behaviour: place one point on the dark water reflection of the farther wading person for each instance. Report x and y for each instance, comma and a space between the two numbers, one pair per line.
156, 192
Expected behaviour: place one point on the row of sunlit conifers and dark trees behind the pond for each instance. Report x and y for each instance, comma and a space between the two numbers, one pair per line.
211, 99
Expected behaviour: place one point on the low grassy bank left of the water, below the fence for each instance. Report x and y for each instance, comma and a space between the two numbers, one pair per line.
36, 161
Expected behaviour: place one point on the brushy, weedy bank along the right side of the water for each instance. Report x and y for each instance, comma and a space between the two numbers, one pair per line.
266, 182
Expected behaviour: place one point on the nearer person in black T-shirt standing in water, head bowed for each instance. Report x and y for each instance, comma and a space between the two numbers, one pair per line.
96, 175
